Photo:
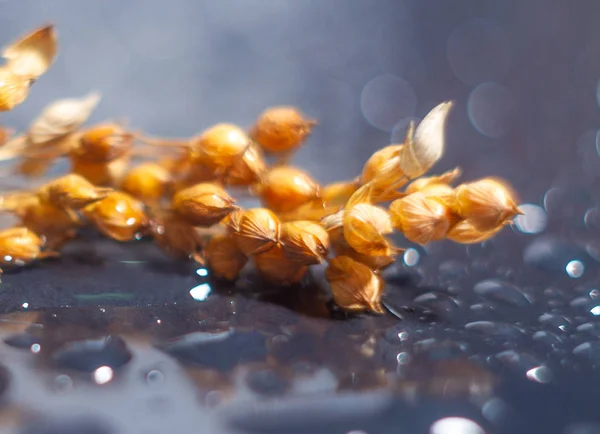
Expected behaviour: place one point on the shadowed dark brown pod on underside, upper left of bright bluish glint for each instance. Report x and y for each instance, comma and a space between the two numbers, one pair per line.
176, 237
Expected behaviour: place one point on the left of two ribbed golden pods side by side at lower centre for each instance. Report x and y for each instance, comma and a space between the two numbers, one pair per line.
258, 231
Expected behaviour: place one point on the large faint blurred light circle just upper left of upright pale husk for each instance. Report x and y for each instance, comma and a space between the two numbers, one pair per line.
387, 99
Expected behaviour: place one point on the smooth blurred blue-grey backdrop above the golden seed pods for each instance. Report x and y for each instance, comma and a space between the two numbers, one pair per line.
524, 75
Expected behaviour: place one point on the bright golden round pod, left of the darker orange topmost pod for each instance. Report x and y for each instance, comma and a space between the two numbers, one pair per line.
220, 146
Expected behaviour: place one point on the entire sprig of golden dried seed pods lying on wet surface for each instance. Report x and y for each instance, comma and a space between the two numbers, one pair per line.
182, 194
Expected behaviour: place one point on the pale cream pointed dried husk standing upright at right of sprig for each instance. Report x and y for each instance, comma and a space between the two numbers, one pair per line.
423, 149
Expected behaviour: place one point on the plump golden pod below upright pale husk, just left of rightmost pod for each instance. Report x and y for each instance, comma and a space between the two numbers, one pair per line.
422, 219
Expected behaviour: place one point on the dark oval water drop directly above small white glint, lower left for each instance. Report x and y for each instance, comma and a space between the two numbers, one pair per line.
89, 355
